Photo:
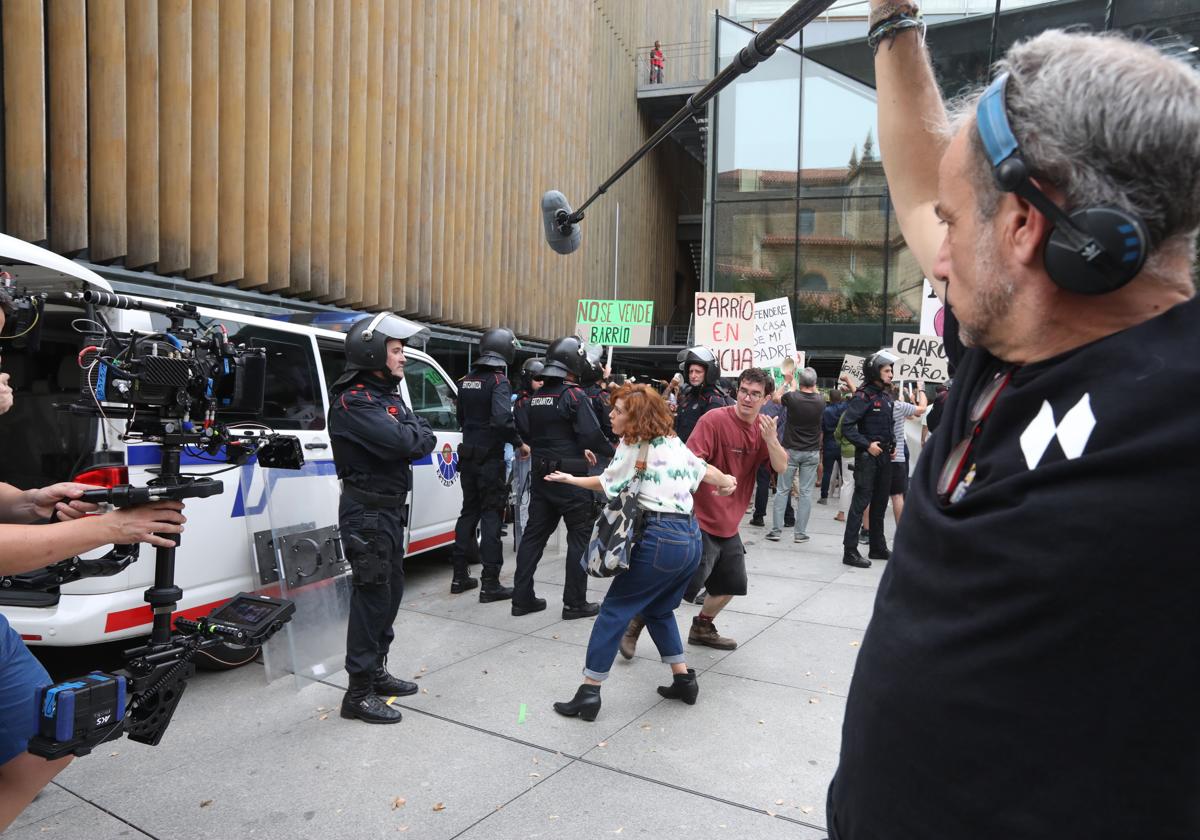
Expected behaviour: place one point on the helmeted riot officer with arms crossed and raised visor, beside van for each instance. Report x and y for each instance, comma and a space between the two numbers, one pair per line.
376, 439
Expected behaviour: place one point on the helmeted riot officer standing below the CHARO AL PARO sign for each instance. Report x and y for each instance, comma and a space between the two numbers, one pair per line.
869, 425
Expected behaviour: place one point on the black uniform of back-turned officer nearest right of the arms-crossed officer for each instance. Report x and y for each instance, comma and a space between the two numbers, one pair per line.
485, 415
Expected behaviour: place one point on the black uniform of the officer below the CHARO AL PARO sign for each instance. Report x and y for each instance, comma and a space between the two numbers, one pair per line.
869, 418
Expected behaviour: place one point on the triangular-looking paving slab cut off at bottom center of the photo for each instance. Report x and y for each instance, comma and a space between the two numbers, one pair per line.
619, 806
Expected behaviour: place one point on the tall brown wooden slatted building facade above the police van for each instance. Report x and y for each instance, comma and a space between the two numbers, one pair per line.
374, 154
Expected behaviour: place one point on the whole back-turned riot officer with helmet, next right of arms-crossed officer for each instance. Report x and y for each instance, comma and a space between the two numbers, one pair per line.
485, 415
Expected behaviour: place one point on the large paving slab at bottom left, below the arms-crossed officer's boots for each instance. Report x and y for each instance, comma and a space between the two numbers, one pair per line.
334, 779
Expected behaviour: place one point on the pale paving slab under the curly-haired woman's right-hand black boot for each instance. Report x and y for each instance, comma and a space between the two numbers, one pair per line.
746, 742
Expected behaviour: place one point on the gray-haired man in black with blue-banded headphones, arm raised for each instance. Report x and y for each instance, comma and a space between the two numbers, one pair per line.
1030, 667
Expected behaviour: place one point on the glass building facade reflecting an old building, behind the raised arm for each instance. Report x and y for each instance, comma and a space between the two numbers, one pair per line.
799, 205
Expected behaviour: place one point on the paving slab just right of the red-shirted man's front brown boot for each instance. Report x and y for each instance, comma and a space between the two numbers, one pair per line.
801, 655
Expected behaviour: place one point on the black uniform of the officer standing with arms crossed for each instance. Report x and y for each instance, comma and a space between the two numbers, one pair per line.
376, 439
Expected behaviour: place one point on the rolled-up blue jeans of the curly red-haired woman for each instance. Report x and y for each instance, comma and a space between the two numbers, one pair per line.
659, 569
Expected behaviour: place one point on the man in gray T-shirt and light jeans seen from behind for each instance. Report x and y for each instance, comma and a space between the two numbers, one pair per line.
802, 440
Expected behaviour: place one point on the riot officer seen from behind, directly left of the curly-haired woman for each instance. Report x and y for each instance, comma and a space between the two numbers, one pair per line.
562, 429
